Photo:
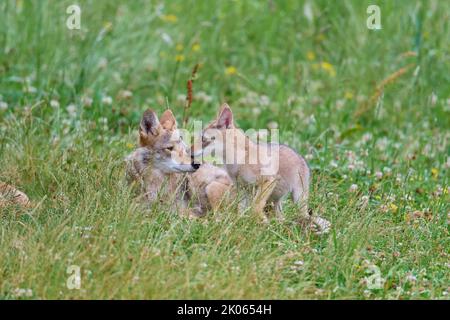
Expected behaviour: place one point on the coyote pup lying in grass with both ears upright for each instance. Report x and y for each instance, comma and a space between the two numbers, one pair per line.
162, 159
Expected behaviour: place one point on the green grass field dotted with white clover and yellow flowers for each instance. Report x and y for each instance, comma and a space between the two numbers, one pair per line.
369, 109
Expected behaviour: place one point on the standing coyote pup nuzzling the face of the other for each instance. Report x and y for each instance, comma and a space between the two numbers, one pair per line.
275, 169
